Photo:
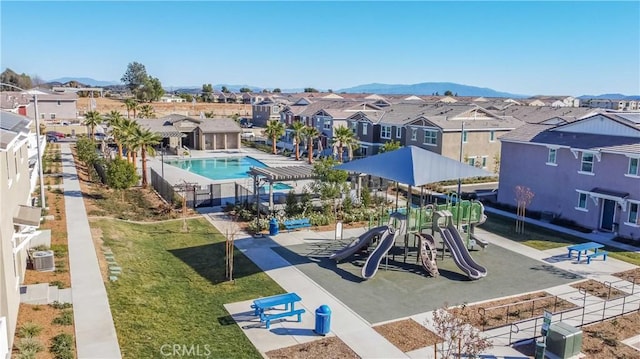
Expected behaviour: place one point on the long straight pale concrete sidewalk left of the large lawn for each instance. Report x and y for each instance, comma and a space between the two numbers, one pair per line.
95, 332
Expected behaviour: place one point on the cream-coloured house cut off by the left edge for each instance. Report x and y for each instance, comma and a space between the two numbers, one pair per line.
18, 220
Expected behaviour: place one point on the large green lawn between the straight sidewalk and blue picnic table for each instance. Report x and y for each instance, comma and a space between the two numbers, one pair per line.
172, 289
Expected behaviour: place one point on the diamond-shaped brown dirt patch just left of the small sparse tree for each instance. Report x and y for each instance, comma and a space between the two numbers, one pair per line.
408, 335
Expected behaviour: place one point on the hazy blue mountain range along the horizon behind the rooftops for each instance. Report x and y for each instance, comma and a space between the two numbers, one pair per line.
425, 88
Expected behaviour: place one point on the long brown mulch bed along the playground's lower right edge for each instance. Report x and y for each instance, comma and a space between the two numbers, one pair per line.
505, 311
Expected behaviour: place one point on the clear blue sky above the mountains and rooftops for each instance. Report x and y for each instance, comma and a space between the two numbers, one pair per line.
554, 48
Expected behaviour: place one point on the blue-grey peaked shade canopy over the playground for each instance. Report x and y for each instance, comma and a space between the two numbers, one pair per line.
413, 166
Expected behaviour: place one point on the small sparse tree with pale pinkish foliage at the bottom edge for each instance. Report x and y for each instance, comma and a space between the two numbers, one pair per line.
460, 337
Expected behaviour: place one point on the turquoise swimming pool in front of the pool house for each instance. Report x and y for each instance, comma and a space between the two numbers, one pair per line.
219, 168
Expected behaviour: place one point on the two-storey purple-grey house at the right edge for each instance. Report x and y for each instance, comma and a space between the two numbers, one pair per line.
585, 171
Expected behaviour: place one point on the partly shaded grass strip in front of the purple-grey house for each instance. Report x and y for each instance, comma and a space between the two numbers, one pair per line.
542, 238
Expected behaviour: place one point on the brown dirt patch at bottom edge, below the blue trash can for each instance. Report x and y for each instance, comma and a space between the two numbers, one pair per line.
327, 348
